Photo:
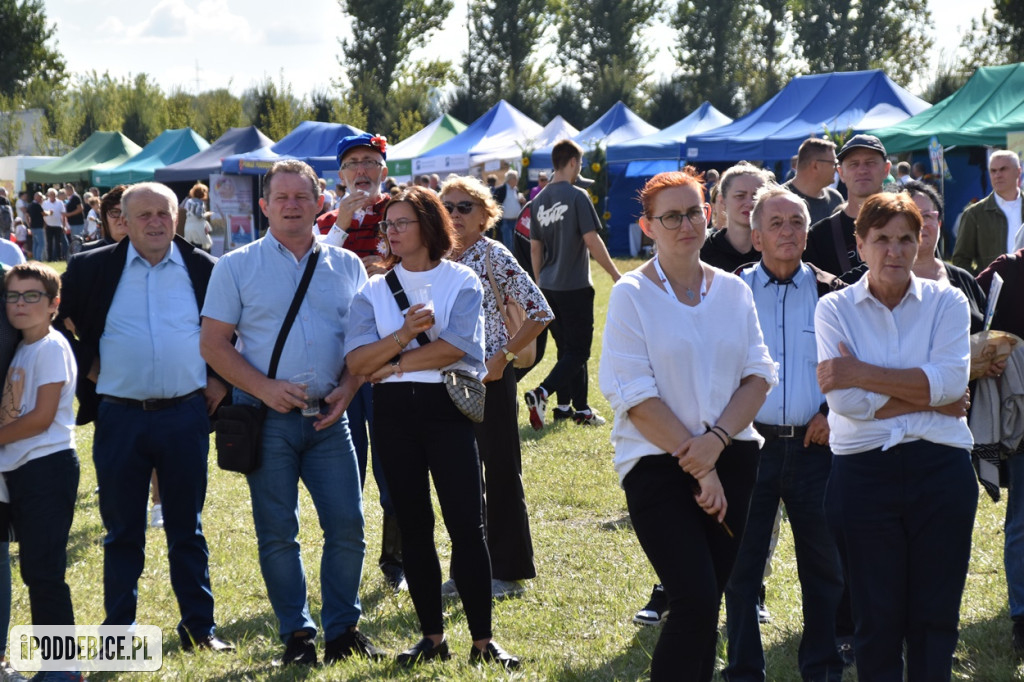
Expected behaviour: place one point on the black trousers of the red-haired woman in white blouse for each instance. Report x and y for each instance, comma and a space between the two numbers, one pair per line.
692, 553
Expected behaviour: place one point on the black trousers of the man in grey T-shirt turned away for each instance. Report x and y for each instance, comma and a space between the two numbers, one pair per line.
573, 330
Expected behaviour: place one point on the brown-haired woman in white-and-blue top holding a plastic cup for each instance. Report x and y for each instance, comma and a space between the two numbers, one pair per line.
419, 432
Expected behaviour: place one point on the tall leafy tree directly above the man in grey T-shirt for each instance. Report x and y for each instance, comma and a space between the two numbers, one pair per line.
603, 46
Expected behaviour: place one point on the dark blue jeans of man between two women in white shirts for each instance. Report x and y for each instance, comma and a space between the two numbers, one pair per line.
797, 477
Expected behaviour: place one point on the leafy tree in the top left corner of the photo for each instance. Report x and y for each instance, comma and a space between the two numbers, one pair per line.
26, 54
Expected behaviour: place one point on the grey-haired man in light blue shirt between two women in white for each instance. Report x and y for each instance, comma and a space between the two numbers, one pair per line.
795, 461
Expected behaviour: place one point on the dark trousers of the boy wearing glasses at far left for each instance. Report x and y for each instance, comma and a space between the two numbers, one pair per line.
42, 507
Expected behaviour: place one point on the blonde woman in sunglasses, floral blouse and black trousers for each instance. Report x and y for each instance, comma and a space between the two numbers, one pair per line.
474, 210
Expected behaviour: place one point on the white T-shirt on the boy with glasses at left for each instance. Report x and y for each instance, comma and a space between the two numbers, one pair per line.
49, 361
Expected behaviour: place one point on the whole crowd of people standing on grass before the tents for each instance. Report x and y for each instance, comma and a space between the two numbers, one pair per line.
786, 349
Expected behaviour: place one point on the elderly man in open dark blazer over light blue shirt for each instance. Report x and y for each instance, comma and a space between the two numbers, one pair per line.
135, 310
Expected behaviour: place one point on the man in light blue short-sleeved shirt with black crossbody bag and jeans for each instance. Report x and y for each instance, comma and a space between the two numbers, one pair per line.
250, 293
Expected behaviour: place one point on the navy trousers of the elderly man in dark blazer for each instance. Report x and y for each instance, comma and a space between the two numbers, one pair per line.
130, 444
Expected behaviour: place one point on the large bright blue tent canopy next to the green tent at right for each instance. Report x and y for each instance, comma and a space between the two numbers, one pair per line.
852, 101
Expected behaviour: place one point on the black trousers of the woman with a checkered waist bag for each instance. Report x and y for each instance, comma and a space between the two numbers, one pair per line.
421, 436
